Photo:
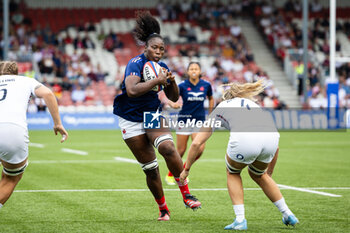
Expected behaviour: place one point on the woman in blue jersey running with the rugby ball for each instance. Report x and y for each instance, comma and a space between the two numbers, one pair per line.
138, 97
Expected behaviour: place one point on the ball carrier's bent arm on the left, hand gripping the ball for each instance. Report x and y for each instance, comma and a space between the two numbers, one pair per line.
135, 88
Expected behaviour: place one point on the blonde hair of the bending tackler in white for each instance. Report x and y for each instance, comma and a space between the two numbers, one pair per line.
246, 90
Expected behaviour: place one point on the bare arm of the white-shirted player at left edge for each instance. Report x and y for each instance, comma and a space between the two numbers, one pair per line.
50, 100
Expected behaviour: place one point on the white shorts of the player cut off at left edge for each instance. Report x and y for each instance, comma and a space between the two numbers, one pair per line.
14, 141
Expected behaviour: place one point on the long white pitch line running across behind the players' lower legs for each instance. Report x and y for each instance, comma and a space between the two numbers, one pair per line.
146, 190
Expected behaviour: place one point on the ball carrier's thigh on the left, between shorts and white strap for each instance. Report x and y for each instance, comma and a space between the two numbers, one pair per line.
141, 147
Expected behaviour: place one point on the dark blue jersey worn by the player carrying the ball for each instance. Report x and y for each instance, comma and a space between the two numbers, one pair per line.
132, 109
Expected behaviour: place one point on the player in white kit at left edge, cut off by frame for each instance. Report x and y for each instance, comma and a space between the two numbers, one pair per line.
15, 91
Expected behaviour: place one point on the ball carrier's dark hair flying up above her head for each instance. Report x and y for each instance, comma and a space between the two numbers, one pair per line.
147, 27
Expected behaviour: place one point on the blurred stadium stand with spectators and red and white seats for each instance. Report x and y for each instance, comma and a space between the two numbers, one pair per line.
80, 48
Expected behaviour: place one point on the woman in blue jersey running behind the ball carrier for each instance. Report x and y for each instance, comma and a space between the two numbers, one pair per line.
193, 92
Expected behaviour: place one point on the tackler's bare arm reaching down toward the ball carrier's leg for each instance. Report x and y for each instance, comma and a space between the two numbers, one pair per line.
201, 138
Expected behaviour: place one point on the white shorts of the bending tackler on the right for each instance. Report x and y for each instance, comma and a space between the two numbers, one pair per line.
249, 147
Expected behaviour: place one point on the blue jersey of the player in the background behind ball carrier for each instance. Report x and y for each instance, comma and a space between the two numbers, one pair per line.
193, 97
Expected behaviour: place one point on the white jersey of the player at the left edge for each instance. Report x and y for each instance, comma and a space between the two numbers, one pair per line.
15, 92
